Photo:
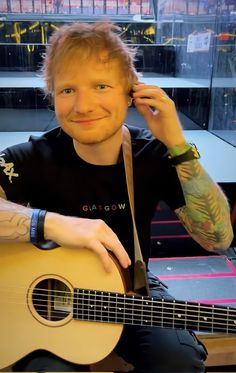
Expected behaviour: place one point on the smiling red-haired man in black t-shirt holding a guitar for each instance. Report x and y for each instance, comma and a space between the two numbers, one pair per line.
75, 176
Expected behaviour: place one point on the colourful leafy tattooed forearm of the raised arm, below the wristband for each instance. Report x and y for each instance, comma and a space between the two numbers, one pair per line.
206, 213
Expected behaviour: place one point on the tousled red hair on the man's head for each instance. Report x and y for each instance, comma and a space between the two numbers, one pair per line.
83, 40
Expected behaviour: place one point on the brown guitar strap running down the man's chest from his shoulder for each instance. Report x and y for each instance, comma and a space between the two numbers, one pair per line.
140, 273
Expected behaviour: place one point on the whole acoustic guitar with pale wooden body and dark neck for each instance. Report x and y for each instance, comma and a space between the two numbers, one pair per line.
63, 301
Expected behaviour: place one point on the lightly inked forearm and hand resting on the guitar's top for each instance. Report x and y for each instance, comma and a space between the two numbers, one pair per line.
75, 232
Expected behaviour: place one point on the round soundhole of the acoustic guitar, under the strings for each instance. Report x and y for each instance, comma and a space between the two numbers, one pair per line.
52, 299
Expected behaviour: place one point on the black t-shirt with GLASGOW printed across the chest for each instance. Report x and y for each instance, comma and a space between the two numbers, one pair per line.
47, 173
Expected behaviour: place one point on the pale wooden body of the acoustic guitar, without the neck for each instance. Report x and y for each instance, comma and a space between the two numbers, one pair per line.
27, 325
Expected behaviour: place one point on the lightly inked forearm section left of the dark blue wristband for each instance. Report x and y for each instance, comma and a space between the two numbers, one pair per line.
14, 220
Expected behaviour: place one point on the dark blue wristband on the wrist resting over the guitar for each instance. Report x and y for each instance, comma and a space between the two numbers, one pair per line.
37, 231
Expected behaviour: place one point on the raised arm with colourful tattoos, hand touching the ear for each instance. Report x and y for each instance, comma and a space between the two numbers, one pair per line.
206, 213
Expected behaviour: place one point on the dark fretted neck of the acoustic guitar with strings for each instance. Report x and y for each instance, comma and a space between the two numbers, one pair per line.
110, 307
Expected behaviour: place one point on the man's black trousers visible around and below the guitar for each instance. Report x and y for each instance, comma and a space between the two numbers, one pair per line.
148, 349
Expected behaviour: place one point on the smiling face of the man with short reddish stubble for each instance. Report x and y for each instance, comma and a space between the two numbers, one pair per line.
90, 99
